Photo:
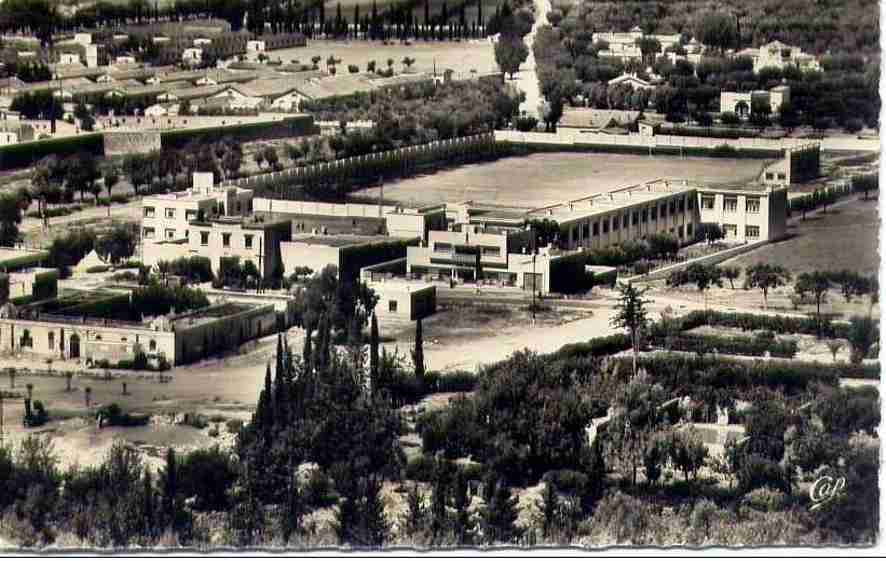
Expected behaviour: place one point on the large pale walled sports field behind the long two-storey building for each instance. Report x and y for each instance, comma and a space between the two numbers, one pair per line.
544, 179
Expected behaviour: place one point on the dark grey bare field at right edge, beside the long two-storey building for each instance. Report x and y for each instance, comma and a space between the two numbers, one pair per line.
844, 238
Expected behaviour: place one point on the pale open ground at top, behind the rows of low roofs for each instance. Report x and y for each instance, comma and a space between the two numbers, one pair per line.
461, 56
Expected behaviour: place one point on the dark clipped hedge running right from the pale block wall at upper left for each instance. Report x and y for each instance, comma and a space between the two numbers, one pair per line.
288, 127
